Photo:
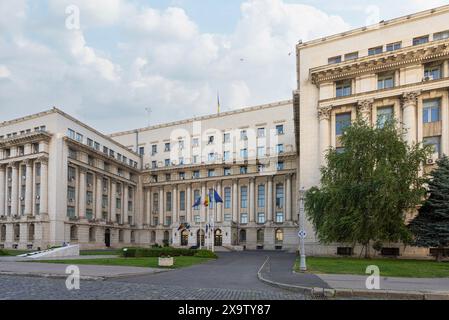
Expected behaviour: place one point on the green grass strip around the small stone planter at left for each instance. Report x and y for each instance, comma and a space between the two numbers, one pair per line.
152, 262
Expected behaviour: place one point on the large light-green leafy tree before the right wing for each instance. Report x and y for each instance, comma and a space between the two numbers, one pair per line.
368, 186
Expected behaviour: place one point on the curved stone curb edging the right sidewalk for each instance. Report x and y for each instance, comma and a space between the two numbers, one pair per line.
355, 293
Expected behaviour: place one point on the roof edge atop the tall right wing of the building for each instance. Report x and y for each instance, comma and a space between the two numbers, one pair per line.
380, 25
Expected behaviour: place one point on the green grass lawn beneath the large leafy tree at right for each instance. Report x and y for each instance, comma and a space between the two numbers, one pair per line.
388, 267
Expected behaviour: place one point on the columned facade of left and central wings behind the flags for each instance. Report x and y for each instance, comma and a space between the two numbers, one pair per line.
63, 181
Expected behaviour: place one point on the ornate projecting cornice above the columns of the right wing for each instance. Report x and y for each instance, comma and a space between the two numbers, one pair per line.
383, 62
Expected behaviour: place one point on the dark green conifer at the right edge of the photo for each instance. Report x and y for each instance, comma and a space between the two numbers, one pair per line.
431, 225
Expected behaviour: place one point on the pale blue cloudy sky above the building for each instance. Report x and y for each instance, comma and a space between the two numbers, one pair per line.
168, 55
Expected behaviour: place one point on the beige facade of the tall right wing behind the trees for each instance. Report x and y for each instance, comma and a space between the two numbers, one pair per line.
398, 68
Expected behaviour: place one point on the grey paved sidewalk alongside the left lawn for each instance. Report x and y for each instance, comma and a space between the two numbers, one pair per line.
86, 271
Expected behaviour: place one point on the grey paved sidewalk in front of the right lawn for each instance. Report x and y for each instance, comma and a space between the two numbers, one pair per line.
278, 270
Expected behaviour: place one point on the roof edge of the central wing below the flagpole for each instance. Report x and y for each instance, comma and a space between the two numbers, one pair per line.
206, 117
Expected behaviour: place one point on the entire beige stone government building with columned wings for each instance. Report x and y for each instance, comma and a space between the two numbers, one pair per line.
63, 181
